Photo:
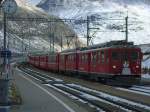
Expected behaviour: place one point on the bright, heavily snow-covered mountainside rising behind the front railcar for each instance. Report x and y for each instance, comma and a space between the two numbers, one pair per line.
137, 10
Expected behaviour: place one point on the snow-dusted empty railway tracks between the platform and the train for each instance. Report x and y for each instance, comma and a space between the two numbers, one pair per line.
101, 101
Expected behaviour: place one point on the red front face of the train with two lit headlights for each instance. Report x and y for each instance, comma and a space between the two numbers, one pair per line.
125, 61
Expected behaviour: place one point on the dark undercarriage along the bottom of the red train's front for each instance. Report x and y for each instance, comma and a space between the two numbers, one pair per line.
109, 79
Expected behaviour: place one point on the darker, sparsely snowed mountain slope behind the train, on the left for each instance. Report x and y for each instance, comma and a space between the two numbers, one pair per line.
40, 40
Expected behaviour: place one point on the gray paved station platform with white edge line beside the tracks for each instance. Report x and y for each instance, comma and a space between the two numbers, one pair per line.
35, 96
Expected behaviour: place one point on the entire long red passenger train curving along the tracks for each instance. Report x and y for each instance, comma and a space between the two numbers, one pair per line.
116, 62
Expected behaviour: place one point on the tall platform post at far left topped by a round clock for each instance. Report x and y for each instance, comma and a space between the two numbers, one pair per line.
9, 8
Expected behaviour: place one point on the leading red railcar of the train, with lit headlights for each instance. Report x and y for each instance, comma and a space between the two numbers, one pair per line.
111, 64
